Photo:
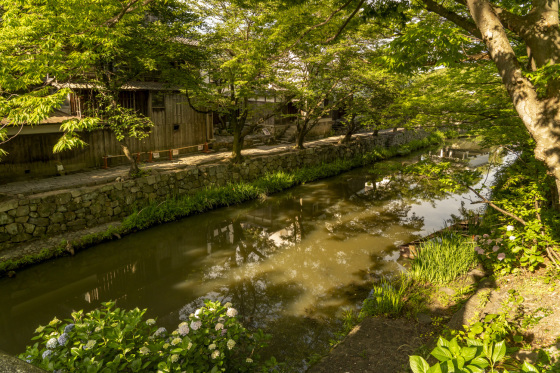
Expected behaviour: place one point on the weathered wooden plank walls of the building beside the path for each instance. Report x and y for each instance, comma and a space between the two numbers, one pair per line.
176, 125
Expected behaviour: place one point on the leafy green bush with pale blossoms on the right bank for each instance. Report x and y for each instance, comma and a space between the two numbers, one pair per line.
525, 190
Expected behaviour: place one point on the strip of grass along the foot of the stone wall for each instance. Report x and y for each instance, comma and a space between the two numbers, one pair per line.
177, 207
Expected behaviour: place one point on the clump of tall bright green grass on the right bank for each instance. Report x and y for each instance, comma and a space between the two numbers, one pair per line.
443, 259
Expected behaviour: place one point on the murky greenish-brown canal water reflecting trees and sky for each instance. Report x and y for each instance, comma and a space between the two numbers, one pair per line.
290, 264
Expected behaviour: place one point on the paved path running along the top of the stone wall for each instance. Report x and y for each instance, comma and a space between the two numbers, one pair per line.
101, 176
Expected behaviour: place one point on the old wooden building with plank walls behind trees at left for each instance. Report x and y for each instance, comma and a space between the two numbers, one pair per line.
176, 127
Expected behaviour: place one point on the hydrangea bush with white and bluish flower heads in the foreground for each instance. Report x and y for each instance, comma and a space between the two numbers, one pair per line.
114, 340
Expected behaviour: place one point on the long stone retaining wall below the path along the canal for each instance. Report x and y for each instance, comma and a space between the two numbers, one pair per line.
41, 215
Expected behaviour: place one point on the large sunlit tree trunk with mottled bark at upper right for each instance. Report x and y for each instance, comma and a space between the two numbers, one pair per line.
541, 117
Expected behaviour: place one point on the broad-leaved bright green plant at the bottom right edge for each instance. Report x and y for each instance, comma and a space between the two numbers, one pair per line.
474, 357
